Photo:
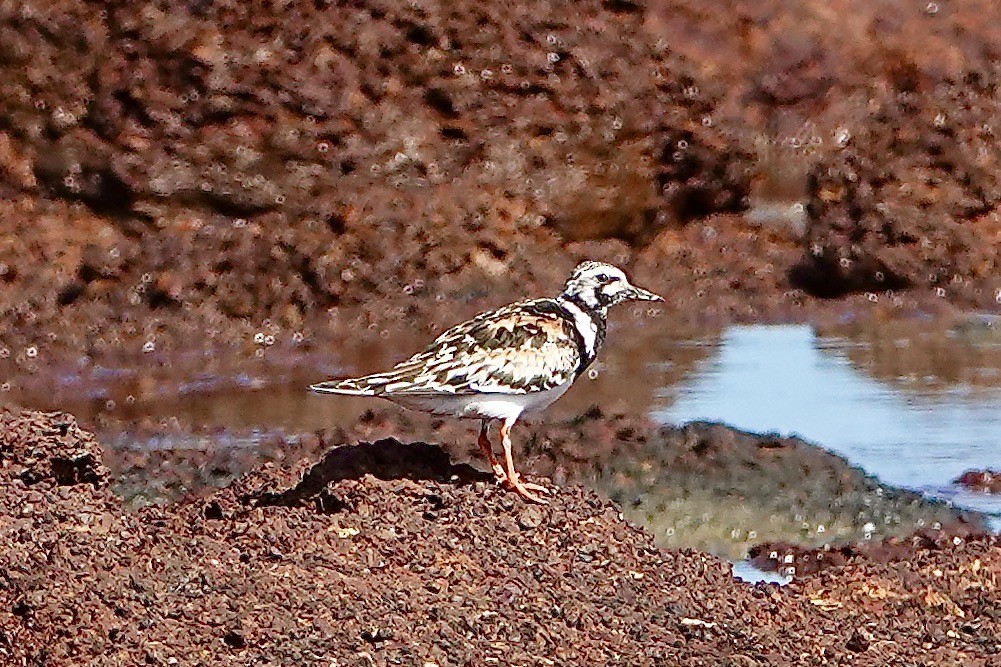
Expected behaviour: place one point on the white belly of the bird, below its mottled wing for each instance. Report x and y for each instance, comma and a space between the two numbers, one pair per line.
482, 406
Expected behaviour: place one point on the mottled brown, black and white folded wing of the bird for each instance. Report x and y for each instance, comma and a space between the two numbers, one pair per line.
516, 350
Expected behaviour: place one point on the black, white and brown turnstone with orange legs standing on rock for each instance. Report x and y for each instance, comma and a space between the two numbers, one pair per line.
508, 362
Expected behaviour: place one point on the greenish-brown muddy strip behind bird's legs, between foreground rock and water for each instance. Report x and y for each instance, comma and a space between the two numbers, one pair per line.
700, 485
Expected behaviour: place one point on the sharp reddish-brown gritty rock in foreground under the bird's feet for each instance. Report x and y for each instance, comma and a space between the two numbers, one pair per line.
368, 559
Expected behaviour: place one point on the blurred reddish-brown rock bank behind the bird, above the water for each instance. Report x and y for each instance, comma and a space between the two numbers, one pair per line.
201, 179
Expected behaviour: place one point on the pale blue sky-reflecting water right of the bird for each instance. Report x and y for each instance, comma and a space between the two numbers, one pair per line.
917, 432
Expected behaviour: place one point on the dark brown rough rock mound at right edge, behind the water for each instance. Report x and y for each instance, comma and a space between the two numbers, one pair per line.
912, 200
